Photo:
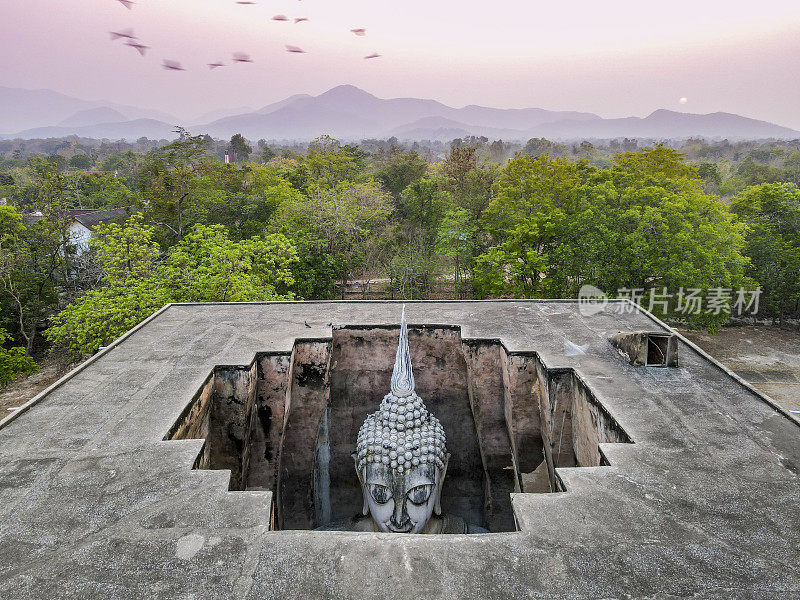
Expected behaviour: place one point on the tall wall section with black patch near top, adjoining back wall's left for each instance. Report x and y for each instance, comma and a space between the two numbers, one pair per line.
306, 402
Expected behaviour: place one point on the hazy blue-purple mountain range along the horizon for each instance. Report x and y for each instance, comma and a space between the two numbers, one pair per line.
348, 113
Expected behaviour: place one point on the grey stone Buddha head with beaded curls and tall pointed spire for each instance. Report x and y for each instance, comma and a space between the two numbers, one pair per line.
401, 457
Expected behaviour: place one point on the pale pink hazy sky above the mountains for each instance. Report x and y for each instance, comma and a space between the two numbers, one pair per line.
615, 58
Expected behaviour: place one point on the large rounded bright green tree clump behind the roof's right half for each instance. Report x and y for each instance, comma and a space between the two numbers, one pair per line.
645, 223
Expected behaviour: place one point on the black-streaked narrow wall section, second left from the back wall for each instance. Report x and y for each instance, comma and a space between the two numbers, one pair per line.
265, 422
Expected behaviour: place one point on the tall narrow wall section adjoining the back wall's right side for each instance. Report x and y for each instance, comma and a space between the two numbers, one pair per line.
487, 398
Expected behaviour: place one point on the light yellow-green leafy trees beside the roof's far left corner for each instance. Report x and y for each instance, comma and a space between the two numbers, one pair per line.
205, 266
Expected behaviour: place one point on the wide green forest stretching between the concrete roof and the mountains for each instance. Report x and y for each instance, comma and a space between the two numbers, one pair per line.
208, 220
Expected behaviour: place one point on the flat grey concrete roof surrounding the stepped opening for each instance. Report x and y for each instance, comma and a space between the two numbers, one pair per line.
93, 503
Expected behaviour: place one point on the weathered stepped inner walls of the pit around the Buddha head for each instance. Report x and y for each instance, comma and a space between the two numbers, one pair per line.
288, 423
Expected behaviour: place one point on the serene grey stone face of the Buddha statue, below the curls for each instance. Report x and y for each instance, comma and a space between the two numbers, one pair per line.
401, 502
